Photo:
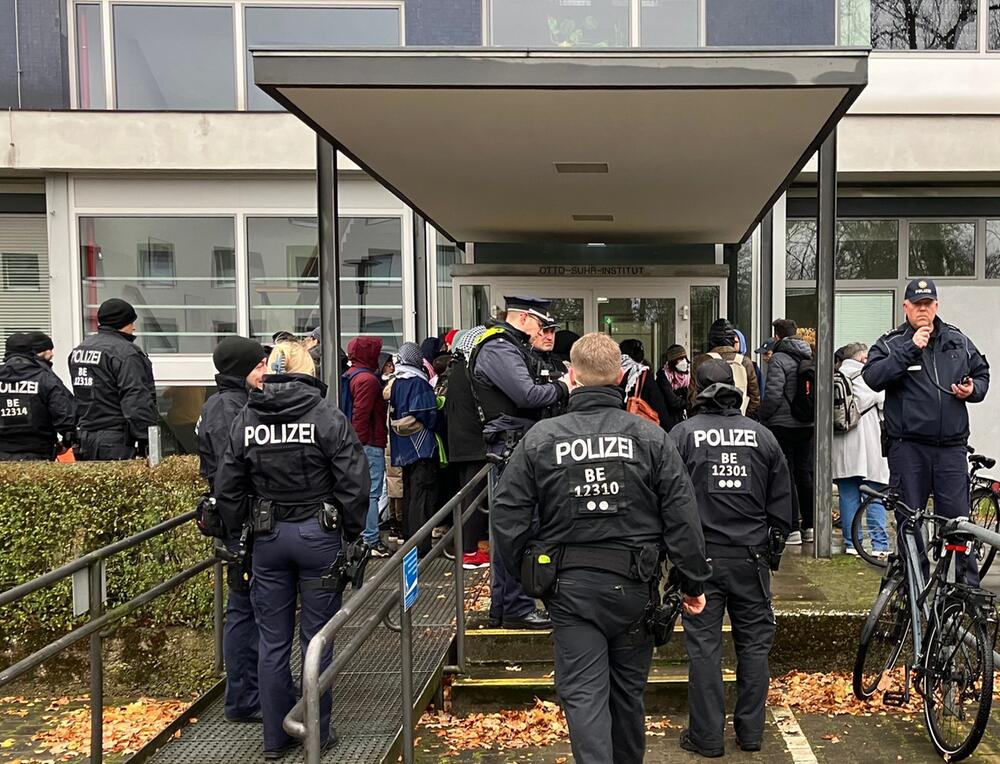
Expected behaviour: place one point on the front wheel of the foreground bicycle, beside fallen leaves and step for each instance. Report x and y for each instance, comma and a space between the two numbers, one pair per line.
882, 638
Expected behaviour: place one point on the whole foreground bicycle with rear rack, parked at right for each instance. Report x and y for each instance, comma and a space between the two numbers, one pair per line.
951, 629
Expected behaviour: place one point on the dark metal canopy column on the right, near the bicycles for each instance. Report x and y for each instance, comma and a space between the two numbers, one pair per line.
825, 275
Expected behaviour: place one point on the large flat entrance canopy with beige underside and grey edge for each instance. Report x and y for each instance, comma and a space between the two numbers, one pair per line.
612, 146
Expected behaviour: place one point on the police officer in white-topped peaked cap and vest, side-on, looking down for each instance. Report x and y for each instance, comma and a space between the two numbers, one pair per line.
509, 400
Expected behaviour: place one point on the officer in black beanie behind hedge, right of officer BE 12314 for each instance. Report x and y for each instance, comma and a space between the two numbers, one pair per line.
115, 392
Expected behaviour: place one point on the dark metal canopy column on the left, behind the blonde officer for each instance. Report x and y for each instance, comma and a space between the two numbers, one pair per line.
329, 264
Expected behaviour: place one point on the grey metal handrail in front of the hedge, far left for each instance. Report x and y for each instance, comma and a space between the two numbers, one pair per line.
99, 619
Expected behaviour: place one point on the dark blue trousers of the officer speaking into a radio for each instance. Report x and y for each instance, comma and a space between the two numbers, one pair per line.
917, 471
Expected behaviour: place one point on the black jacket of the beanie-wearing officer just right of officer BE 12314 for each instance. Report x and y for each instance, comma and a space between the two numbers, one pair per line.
113, 383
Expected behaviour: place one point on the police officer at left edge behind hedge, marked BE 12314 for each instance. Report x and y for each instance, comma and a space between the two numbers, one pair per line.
36, 409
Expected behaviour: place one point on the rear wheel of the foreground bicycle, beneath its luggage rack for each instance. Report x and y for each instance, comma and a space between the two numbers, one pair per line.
958, 682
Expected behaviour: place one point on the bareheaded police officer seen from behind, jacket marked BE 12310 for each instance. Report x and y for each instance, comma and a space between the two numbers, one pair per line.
611, 496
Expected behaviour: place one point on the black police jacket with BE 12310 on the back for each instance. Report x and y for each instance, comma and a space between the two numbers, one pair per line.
603, 477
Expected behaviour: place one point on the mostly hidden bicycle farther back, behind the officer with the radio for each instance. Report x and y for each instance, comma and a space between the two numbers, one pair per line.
984, 511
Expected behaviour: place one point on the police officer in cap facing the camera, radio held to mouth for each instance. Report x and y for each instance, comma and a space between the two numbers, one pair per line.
929, 371
